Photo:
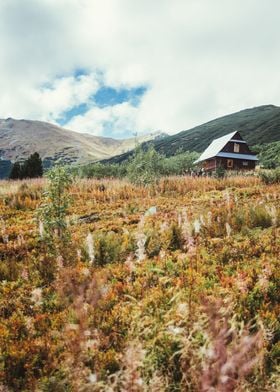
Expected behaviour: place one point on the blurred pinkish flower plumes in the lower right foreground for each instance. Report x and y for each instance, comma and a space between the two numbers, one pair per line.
231, 359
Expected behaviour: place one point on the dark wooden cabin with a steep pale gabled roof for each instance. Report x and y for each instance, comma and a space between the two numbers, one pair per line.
230, 152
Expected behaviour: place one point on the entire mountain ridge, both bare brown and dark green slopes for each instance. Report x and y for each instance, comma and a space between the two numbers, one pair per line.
19, 138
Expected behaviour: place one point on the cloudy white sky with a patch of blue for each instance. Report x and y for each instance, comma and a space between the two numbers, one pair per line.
116, 67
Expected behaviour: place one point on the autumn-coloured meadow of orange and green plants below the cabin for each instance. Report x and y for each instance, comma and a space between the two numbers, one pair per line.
171, 287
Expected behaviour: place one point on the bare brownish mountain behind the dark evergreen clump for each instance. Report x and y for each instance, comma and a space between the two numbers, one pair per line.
20, 138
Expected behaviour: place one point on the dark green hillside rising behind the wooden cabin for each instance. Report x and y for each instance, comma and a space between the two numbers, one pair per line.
257, 125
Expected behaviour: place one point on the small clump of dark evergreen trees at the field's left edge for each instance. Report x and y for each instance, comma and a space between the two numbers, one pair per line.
32, 167
